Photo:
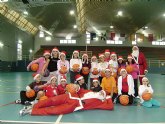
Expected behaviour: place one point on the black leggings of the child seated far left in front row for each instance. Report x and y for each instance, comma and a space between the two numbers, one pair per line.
25, 98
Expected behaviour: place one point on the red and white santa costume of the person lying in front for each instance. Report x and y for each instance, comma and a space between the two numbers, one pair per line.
67, 103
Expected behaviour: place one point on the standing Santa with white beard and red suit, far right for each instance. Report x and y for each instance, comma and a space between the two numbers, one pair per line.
140, 61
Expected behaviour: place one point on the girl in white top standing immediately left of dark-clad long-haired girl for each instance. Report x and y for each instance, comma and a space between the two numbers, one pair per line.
75, 61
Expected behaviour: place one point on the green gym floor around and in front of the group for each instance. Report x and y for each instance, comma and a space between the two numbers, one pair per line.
12, 83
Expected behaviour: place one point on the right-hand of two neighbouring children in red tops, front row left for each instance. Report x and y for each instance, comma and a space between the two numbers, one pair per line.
62, 86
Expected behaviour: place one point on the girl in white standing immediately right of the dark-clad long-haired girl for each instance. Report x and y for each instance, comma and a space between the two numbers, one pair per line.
94, 67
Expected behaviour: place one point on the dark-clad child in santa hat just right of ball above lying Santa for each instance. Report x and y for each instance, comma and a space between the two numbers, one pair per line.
80, 81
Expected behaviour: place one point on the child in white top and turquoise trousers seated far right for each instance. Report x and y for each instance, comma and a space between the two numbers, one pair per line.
146, 88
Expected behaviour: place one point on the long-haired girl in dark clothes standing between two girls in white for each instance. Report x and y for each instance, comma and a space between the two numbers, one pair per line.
86, 64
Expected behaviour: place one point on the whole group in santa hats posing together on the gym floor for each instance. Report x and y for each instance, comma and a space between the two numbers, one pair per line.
110, 77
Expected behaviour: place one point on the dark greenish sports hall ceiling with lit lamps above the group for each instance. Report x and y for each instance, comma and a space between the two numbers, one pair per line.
94, 15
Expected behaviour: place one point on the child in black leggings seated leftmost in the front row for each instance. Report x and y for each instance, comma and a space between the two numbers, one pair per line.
35, 86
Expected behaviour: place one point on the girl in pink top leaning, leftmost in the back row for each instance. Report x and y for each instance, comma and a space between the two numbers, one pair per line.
42, 62
